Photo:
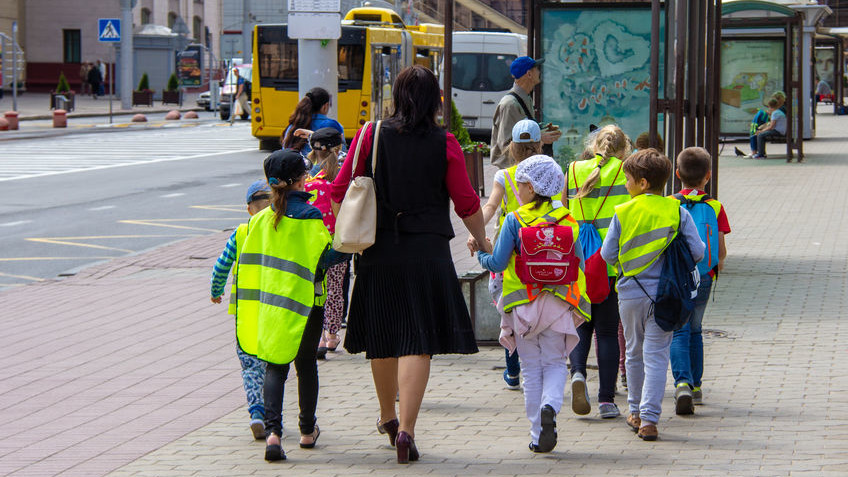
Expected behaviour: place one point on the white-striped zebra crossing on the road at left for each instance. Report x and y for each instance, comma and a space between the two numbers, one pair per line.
82, 152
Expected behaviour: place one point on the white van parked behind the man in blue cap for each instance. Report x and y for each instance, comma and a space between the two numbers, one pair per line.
480, 75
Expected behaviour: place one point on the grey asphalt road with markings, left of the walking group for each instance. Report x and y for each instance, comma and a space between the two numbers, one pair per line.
72, 201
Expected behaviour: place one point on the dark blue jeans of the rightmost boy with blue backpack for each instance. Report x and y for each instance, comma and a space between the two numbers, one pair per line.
687, 346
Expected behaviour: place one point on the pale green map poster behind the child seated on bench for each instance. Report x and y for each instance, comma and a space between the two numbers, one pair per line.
751, 71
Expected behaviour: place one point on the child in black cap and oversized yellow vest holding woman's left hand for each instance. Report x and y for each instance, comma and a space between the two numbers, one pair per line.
279, 312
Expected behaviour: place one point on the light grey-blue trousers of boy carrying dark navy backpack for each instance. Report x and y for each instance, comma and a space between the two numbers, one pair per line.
647, 358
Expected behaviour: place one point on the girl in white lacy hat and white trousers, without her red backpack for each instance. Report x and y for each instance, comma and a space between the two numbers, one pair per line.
538, 320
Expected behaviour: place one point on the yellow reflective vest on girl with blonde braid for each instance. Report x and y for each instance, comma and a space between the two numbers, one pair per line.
600, 204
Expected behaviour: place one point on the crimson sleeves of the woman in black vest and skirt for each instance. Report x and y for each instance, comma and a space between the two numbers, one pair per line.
465, 200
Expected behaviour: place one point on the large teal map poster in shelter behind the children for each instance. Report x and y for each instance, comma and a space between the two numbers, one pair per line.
596, 71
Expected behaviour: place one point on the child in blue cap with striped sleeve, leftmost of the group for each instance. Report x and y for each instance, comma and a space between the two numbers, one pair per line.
252, 368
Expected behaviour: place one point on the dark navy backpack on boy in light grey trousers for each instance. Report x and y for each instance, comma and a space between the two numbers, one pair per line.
678, 286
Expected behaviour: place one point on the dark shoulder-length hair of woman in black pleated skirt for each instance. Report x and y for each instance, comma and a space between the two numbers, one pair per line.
416, 98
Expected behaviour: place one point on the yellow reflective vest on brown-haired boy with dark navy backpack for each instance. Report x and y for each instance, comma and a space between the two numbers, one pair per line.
648, 224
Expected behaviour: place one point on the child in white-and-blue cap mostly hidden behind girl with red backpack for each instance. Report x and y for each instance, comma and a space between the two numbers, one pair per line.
526, 142
